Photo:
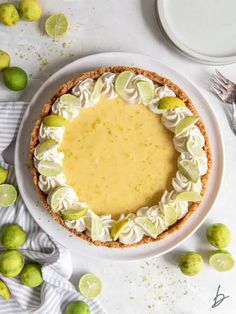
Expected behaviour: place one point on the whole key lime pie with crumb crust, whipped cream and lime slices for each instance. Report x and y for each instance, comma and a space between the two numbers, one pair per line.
120, 156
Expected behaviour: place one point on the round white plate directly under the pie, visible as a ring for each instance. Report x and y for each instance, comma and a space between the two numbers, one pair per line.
24, 178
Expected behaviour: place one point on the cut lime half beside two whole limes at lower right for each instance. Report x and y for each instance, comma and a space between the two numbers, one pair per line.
222, 260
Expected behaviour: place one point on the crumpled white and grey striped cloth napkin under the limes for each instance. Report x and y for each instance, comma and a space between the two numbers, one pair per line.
56, 291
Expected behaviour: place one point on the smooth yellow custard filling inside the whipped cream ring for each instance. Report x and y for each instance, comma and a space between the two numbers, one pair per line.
118, 157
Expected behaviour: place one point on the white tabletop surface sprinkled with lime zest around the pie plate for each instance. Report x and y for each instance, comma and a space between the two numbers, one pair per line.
144, 287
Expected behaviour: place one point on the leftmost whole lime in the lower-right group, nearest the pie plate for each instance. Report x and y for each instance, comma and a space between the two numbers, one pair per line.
190, 263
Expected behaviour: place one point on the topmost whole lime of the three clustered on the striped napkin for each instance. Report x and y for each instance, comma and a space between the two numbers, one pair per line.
12, 236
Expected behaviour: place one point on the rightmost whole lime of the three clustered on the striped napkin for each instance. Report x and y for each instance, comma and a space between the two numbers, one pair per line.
31, 275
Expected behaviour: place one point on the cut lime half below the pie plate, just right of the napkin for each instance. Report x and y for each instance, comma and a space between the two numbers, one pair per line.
90, 286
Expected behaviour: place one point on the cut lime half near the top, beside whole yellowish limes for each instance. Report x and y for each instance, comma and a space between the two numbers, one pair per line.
57, 25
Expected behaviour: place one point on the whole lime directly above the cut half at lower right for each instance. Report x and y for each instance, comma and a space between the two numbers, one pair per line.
218, 235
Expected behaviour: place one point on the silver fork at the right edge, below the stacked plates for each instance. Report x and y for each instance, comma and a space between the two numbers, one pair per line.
226, 91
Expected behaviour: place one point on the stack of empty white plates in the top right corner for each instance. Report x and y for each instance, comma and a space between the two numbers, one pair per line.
205, 30
